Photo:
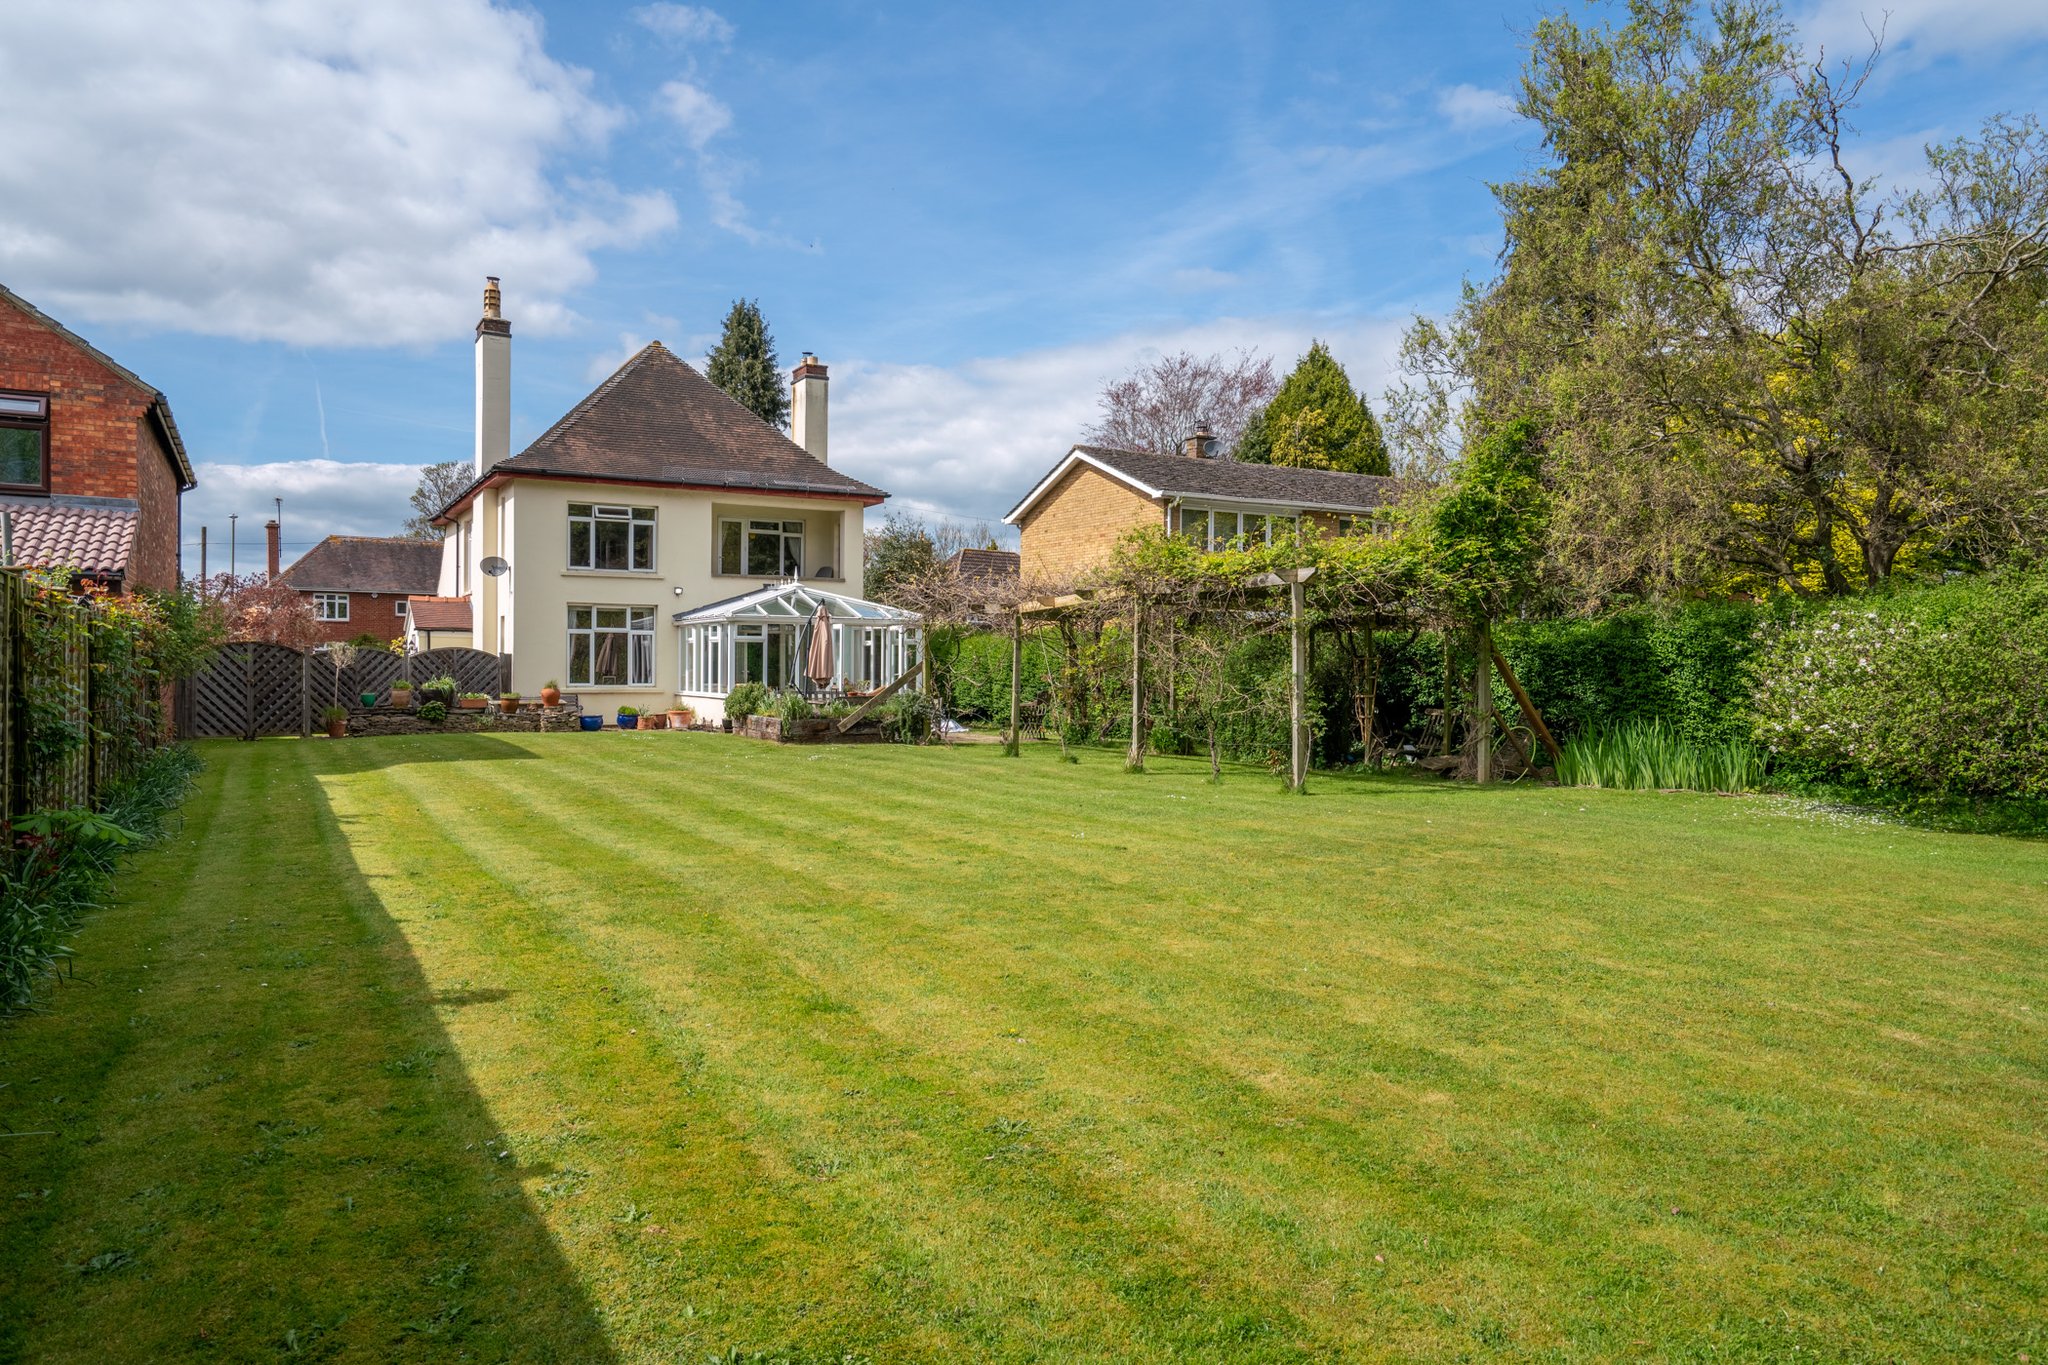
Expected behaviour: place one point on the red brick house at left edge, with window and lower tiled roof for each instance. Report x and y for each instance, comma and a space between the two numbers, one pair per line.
91, 461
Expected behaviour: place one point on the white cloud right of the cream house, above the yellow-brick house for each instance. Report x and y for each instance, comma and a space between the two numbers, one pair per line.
970, 441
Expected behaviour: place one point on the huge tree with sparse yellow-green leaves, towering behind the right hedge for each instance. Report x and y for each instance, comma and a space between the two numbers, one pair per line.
1754, 369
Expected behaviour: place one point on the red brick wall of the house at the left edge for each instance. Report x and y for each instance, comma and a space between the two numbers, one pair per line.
101, 443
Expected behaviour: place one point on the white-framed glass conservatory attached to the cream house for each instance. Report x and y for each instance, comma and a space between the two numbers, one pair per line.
769, 633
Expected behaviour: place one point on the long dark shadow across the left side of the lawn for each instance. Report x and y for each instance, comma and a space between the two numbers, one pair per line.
269, 1145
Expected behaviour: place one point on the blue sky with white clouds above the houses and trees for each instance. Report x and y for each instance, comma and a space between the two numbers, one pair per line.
976, 214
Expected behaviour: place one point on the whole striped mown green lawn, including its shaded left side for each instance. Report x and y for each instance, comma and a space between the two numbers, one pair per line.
656, 1047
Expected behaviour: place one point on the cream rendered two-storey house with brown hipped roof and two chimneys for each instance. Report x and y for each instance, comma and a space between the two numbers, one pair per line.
652, 500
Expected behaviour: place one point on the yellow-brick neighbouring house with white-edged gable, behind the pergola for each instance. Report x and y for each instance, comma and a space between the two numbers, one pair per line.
1095, 496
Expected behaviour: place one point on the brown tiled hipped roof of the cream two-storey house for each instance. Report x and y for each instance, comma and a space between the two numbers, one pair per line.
656, 421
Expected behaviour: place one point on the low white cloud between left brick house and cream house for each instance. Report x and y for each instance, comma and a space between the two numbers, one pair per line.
323, 498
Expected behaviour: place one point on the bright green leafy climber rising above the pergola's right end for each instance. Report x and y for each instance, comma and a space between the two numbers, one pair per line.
1488, 531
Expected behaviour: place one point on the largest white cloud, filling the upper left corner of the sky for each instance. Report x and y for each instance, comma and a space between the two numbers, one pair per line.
318, 175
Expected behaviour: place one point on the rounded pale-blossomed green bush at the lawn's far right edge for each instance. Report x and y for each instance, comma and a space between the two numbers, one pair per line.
1932, 691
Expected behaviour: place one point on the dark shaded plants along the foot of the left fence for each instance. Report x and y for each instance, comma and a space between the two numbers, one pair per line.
60, 865
